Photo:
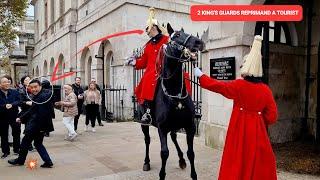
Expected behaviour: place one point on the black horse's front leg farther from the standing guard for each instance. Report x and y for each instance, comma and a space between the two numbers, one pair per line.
164, 152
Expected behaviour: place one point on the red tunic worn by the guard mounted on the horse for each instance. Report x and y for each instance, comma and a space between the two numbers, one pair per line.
148, 83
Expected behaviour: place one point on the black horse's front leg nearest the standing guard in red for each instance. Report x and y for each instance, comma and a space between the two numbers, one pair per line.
190, 136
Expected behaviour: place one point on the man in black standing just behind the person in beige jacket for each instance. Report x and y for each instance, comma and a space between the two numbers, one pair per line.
77, 89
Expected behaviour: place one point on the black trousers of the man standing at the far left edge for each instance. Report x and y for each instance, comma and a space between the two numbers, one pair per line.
16, 131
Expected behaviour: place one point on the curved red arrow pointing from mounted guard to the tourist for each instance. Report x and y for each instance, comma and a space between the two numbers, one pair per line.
54, 76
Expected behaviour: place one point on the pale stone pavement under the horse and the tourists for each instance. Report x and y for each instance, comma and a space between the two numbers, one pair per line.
116, 152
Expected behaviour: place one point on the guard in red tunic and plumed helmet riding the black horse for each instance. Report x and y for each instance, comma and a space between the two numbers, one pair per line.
146, 89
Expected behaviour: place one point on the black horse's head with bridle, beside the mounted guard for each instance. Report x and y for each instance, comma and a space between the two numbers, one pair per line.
186, 44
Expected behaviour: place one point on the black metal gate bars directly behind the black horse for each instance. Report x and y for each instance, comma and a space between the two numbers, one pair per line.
196, 90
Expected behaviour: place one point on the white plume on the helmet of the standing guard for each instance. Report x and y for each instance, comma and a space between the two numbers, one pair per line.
252, 62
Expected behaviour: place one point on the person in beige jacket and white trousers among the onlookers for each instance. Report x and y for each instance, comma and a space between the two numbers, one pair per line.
70, 108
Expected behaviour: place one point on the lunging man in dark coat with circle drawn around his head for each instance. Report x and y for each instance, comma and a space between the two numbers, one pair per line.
38, 122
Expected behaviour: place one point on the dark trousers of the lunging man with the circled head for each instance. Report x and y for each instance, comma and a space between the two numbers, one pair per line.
37, 137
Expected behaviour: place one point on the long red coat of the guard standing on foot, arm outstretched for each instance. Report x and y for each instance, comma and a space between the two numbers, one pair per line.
247, 152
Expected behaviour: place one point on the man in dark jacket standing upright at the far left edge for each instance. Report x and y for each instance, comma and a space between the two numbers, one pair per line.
9, 101
